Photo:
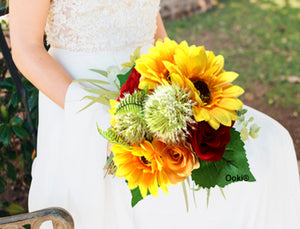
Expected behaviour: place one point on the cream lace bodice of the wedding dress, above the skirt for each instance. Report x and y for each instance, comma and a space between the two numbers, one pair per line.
101, 25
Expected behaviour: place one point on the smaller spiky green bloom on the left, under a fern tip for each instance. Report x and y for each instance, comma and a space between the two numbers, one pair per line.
130, 124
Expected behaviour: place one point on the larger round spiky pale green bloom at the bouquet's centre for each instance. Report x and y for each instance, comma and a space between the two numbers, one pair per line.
167, 112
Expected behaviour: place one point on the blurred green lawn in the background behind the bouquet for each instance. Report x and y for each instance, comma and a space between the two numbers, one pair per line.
258, 39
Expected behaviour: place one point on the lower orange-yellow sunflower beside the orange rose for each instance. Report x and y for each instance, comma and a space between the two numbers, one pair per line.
141, 166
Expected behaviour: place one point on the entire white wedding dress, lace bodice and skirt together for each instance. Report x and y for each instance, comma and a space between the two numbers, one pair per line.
68, 170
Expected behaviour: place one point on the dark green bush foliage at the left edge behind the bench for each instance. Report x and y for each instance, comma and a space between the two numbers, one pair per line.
16, 145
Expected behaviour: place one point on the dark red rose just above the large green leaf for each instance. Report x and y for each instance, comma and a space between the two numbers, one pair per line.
208, 143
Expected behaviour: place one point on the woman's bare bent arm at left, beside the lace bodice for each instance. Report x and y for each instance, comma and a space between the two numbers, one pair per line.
27, 20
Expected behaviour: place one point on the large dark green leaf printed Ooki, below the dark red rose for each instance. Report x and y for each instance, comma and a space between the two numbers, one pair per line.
233, 167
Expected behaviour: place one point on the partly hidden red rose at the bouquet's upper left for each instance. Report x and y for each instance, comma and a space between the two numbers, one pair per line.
131, 84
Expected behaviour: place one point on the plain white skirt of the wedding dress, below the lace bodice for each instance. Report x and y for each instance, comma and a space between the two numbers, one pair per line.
68, 170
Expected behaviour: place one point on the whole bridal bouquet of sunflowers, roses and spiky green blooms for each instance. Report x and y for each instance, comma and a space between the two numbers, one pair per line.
173, 121
